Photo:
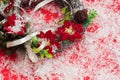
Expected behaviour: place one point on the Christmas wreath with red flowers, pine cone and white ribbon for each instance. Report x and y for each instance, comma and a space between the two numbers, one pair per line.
15, 33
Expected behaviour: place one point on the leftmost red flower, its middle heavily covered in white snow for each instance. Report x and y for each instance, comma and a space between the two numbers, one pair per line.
13, 25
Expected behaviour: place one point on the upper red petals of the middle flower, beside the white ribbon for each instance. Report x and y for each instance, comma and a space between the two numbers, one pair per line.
50, 37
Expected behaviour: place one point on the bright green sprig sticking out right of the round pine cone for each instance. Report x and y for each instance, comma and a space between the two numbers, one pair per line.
91, 15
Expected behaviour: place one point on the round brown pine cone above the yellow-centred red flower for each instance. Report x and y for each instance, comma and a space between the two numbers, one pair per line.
81, 16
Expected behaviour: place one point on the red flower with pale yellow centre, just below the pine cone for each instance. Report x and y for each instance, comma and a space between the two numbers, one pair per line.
70, 31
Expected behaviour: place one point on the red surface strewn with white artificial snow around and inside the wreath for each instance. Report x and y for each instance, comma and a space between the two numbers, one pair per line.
96, 57
